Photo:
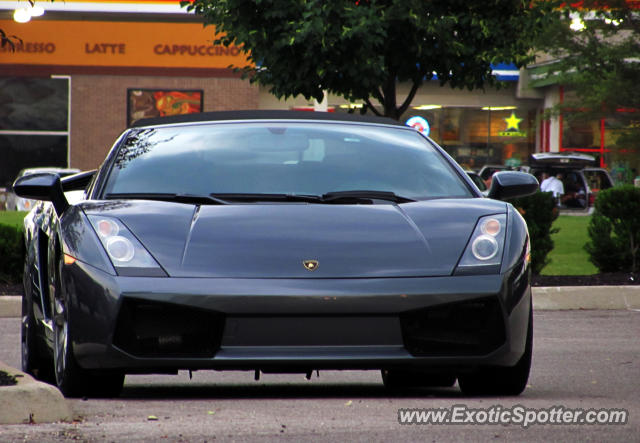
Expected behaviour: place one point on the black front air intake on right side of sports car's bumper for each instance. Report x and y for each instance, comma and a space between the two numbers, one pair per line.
473, 328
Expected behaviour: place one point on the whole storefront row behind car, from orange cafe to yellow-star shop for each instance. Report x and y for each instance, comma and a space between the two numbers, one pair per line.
82, 74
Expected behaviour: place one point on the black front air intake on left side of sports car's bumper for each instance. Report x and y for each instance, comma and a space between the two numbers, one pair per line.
163, 330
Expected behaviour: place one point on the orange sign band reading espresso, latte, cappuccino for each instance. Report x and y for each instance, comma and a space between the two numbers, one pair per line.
117, 44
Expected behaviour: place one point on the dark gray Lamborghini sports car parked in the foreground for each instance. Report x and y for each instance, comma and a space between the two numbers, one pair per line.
277, 242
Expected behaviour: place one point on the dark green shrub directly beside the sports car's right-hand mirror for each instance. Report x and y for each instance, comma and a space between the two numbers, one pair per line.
539, 211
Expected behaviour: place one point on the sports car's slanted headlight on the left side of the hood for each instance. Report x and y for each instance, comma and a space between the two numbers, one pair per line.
126, 253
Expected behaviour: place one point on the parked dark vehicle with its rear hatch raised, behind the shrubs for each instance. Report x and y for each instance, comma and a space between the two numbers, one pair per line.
581, 180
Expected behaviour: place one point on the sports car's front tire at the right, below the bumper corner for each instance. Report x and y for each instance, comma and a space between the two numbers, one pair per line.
510, 381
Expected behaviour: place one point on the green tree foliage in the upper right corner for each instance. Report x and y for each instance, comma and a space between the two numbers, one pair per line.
600, 62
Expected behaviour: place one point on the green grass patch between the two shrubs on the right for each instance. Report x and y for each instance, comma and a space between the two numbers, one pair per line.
568, 256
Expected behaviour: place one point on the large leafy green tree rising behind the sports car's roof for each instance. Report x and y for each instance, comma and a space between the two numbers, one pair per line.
361, 49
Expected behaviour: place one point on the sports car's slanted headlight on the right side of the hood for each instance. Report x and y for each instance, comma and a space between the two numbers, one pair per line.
483, 254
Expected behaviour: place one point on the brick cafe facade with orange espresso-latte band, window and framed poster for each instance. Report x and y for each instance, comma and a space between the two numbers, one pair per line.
73, 85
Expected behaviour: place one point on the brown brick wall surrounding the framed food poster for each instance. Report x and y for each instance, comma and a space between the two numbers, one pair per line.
99, 107
